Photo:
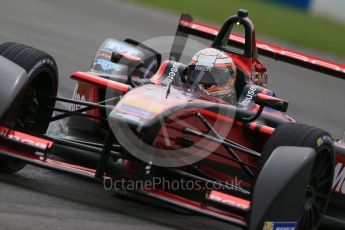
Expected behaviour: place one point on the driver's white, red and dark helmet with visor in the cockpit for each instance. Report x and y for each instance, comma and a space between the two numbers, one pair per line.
215, 72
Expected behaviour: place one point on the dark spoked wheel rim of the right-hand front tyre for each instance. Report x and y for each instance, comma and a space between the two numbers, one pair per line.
318, 191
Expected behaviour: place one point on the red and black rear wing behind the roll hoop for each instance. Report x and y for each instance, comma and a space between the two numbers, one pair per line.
189, 27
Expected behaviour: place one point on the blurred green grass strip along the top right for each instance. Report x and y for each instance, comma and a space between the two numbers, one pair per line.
278, 21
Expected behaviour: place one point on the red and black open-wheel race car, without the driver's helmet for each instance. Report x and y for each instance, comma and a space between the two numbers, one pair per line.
137, 125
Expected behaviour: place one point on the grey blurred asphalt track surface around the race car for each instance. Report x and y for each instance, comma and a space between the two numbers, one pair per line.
71, 31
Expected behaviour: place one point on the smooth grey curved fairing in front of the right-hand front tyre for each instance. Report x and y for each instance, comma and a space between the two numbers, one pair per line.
280, 188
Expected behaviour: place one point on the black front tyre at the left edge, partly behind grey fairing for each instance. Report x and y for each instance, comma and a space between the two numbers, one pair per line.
32, 114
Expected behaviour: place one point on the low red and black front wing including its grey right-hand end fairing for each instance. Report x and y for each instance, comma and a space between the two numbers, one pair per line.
262, 206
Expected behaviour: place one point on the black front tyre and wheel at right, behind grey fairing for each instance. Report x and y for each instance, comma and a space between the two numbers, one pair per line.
319, 187
